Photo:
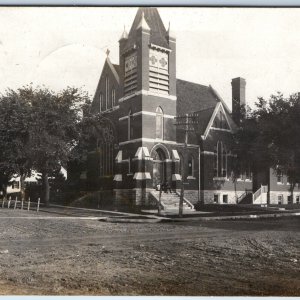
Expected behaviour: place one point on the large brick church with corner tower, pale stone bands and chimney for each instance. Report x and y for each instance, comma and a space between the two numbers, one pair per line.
161, 128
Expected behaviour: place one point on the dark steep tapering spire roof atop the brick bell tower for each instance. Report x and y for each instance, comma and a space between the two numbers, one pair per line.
158, 32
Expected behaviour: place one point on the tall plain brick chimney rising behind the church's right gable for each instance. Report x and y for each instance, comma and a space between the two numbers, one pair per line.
238, 98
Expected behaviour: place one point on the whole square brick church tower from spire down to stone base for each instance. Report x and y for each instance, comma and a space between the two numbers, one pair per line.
147, 104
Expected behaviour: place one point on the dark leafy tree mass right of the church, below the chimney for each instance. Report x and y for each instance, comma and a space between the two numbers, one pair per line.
269, 137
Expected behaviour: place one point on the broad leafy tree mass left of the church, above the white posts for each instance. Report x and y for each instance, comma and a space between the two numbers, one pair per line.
41, 132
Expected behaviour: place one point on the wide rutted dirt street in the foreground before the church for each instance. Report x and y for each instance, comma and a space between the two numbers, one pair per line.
68, 256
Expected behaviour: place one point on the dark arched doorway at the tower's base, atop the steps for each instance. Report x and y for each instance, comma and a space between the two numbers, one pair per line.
159, 166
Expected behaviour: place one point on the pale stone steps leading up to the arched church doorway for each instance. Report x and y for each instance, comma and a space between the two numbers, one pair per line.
170, 202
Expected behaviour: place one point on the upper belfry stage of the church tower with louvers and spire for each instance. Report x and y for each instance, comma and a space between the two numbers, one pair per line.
148, 55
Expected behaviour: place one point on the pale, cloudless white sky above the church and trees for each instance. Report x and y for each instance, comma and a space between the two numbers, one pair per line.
65, 46
